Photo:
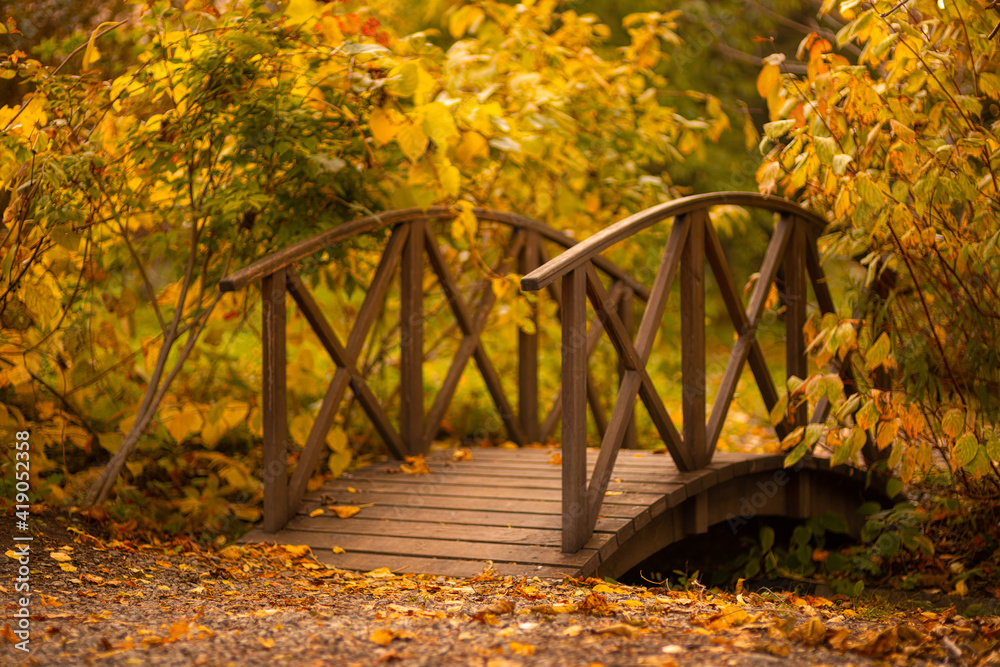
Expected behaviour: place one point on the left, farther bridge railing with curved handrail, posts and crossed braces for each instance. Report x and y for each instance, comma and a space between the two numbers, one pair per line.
412, 251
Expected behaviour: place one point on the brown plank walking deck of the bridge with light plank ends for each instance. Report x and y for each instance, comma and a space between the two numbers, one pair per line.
502, 506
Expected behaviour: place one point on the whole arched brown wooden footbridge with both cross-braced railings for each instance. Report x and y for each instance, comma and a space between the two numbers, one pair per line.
533, 510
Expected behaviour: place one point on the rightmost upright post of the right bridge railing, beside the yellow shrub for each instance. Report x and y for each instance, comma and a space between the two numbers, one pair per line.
795, 312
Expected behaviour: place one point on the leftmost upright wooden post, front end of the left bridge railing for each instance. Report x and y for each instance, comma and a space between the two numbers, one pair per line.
275, 415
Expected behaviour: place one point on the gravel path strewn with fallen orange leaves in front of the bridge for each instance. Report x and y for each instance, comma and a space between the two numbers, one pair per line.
112, 602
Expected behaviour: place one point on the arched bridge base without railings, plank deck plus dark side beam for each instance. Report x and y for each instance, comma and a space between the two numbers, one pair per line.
505, 506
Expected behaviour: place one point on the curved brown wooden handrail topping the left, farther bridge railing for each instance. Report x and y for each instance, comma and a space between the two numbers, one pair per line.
285, 257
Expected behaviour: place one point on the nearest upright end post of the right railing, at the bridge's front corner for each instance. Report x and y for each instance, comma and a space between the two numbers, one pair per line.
574, 410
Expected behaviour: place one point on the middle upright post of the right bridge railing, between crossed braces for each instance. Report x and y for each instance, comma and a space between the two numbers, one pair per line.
693, 339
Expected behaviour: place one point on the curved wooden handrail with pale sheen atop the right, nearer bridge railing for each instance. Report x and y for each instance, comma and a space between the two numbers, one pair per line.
591, 248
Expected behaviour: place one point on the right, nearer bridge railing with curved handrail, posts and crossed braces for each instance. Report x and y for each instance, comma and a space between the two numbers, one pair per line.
692, 240
